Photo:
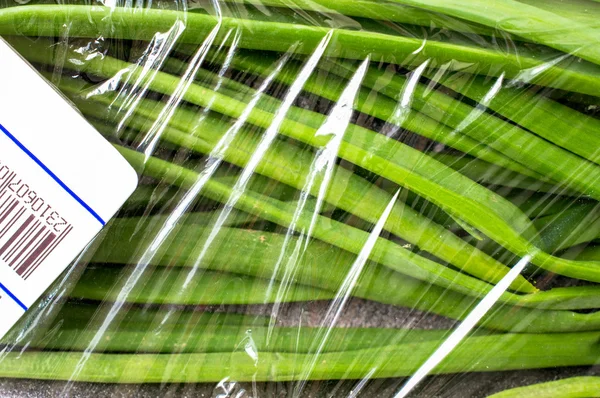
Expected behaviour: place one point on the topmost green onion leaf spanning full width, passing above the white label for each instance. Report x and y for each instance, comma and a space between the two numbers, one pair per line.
124, 23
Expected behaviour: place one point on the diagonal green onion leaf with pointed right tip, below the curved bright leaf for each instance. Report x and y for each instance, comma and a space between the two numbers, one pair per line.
346, 191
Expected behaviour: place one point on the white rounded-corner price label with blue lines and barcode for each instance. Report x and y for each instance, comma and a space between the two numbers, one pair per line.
60, 182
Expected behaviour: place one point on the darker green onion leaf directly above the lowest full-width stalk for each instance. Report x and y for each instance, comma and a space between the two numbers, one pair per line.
209, 338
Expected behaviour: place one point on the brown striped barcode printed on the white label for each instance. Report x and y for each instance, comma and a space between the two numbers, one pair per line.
25, 239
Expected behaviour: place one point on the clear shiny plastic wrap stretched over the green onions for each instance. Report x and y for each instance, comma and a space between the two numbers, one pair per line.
338, 198
